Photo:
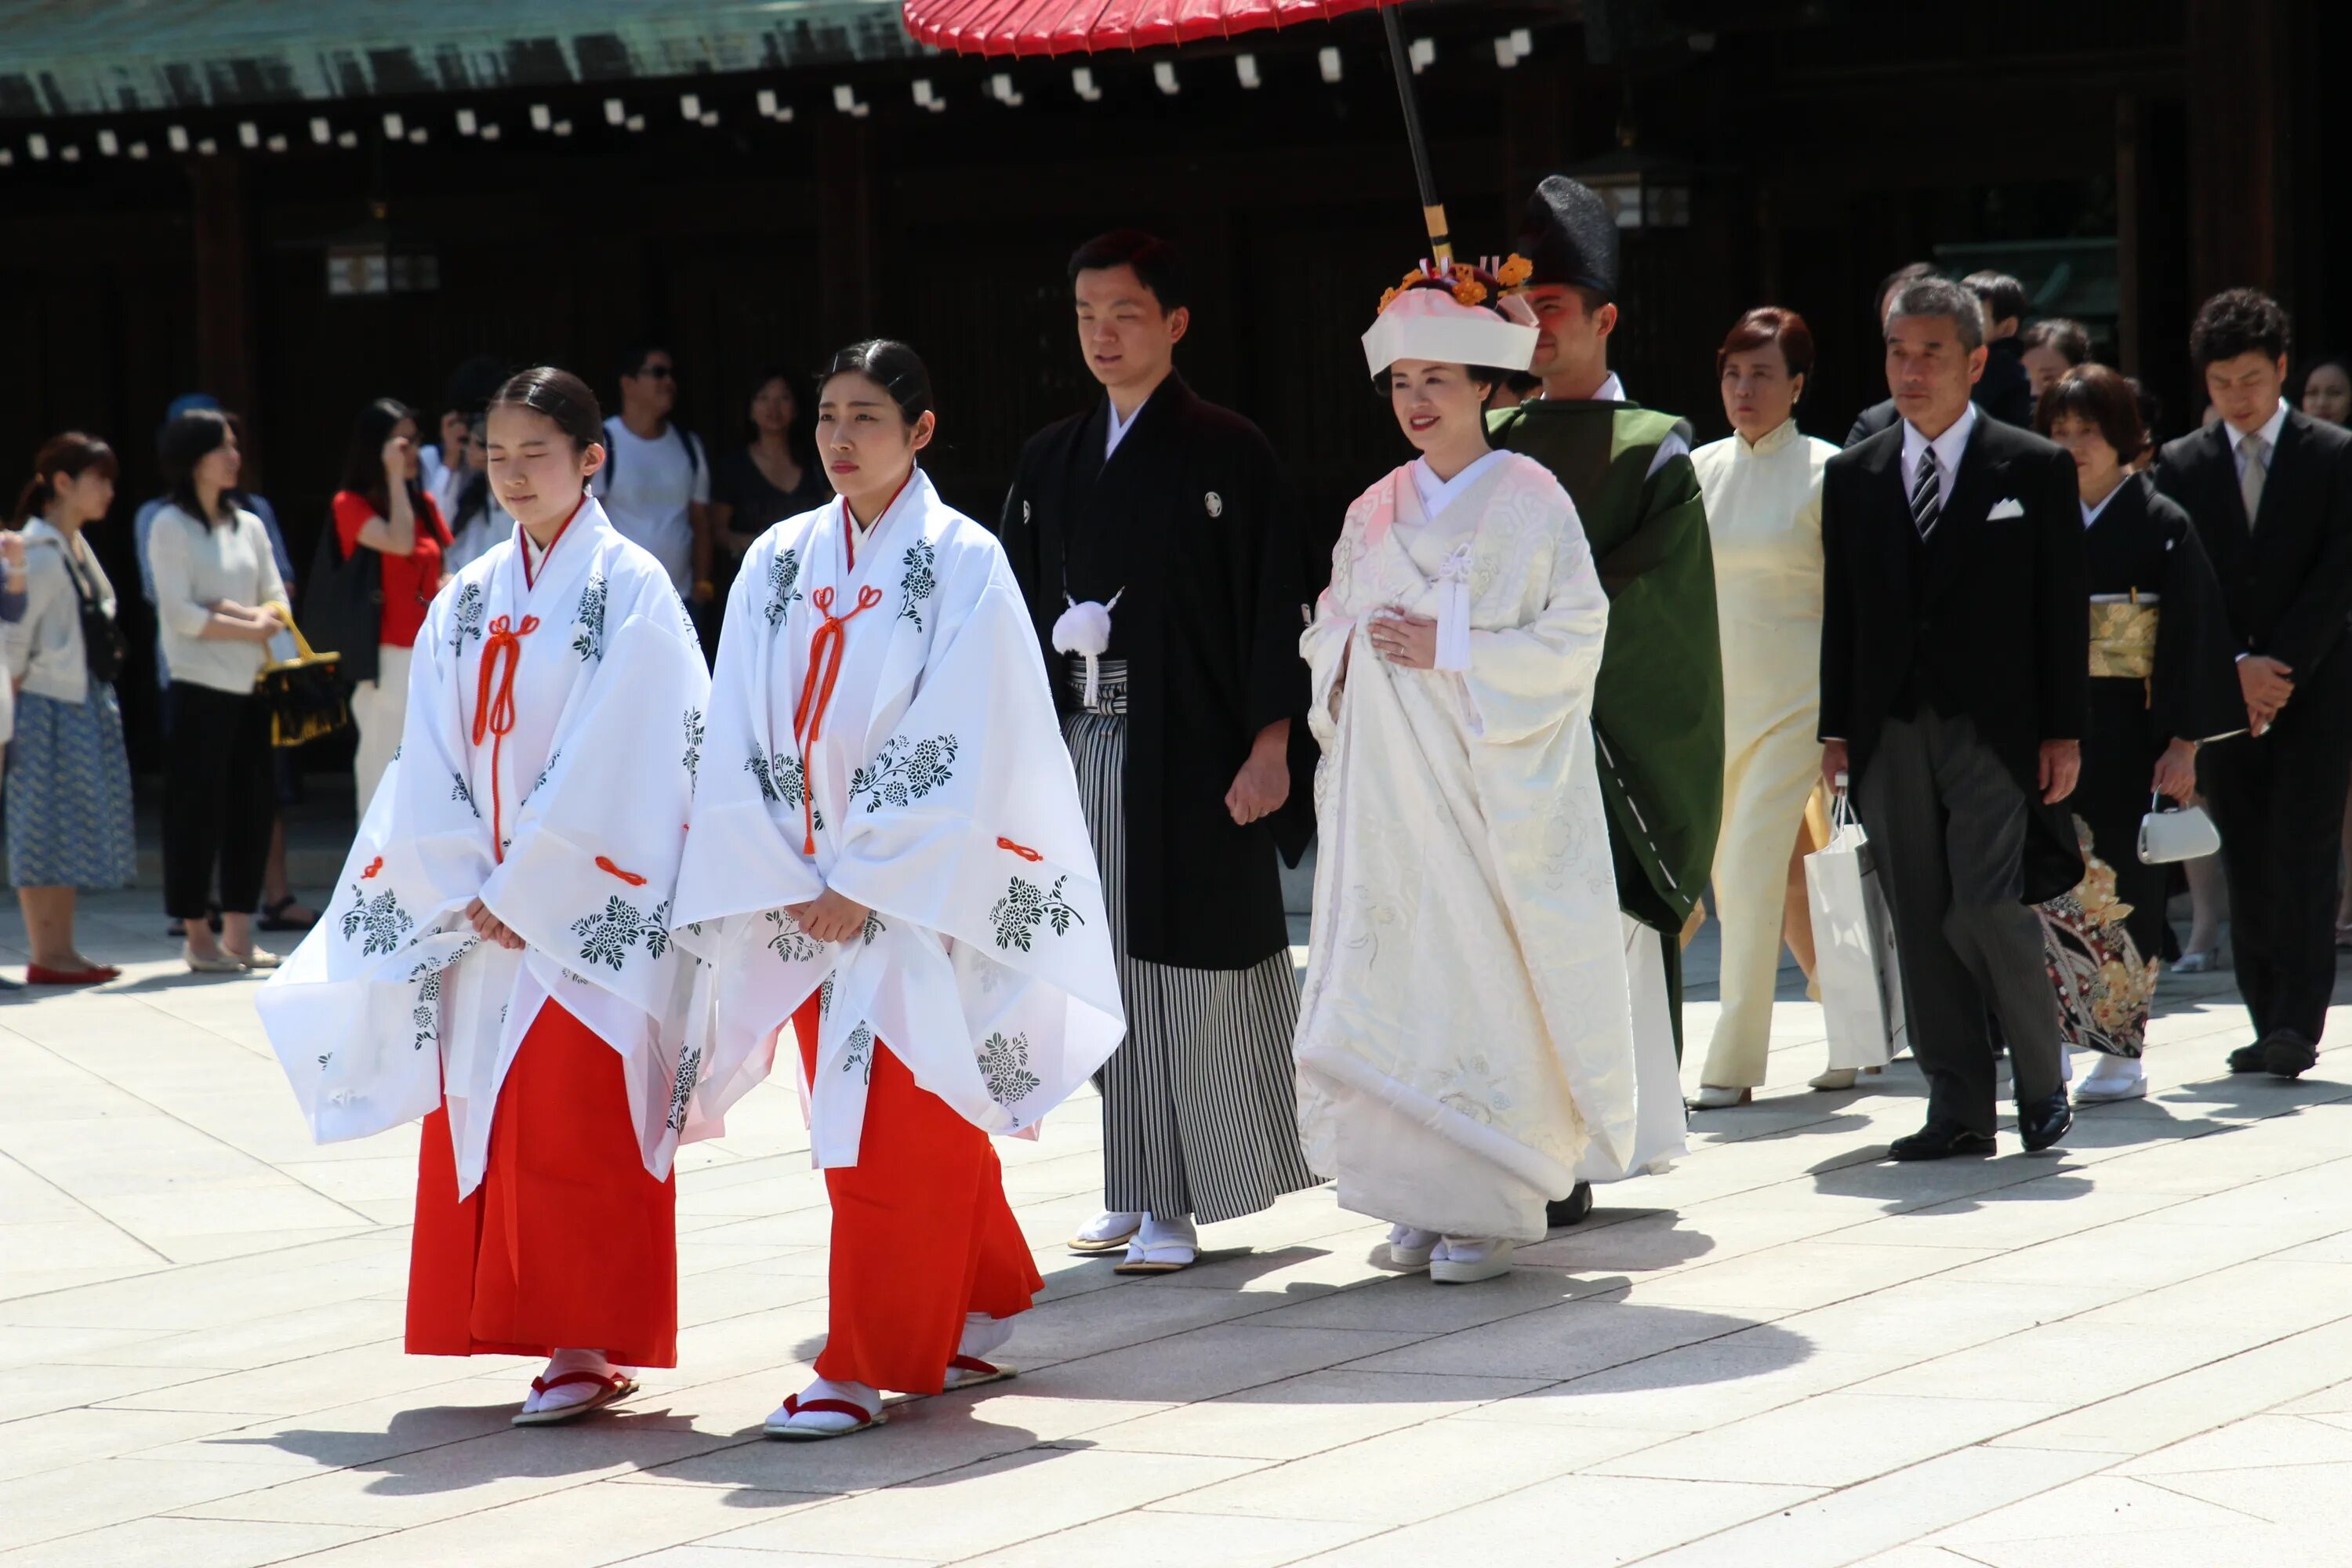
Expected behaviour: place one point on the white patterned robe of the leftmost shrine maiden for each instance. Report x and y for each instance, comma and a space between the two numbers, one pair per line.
547, 770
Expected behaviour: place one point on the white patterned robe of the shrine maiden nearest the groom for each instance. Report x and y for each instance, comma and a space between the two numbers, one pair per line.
886, 730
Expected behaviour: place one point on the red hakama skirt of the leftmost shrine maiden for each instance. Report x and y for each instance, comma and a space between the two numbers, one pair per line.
568, 1242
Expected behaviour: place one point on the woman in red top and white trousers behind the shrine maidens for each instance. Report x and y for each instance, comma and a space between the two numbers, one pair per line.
387, 509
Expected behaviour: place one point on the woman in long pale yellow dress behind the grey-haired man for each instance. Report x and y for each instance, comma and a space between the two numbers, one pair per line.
1763, 490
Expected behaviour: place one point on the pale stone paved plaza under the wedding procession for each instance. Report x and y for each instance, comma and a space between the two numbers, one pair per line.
1784, 1353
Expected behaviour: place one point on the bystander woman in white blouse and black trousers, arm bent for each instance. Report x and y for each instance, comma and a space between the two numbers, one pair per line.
218, 603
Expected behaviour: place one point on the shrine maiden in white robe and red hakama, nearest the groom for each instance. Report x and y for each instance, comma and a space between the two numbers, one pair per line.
888, 859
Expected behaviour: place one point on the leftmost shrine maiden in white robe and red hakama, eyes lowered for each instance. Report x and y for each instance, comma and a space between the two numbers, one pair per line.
500, 956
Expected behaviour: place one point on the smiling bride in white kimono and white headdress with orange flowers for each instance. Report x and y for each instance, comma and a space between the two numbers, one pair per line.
1466, 1033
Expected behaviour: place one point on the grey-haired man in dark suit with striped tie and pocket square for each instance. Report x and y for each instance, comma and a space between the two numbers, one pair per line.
1953, 688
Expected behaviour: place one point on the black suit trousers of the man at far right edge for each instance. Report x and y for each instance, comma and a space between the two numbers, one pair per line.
2280, 803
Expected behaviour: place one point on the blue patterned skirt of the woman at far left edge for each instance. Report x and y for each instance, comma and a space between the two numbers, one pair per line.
69, 796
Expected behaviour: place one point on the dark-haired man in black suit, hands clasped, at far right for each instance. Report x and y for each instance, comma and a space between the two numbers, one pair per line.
2271, 492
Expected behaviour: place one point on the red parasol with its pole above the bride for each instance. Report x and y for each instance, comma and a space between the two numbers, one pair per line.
1093, 27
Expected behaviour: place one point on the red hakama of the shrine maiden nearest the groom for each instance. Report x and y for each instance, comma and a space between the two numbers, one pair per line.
921, 1235
